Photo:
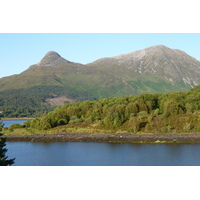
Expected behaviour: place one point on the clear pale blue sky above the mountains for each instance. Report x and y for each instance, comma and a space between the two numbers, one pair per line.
20, 50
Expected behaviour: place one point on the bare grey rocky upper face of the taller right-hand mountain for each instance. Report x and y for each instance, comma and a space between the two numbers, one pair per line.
159, 61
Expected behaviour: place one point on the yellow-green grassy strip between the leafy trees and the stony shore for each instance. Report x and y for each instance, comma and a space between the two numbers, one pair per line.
94, 128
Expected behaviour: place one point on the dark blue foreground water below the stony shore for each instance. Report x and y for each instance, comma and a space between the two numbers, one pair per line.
103, 154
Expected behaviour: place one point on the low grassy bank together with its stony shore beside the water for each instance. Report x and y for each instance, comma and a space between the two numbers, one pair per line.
95, 132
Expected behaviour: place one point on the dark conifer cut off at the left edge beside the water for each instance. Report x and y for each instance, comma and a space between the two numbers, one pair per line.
3, 158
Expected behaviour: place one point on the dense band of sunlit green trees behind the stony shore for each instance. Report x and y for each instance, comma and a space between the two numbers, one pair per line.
135, 112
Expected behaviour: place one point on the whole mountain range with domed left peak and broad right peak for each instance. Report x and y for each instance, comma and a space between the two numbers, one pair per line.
55, 80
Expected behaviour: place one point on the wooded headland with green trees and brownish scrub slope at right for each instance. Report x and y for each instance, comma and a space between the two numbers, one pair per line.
150, 113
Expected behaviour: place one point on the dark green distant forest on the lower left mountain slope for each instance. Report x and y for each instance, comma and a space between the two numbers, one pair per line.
31, 102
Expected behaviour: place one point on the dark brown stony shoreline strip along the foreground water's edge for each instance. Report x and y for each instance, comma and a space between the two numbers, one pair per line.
107, 137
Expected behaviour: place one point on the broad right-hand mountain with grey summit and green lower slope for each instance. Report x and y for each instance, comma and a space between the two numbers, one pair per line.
154, 69
